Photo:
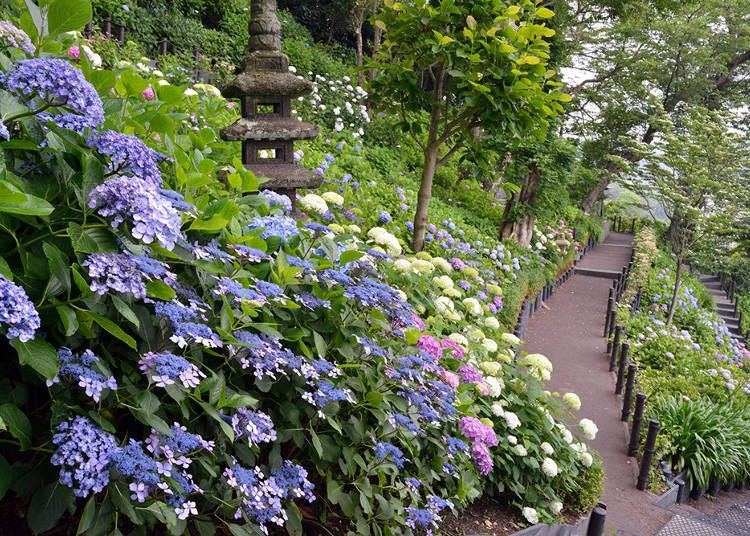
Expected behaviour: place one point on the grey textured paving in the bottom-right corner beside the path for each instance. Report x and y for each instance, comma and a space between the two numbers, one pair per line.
731, 521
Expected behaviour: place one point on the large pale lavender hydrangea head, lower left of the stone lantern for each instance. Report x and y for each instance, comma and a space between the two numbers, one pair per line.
151, 216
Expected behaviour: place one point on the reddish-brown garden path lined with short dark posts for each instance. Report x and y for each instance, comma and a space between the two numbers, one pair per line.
569, 332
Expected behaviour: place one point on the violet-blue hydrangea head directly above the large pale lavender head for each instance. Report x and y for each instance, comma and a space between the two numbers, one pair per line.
127, 154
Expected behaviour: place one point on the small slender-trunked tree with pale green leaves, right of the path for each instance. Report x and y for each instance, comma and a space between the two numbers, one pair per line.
698, 169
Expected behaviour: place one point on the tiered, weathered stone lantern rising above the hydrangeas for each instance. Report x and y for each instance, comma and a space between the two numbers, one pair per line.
265, 88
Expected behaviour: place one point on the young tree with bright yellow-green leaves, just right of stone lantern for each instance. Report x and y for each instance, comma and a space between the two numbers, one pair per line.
459, 65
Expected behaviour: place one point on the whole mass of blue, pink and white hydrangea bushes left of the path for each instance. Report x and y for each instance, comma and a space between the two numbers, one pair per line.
185, 354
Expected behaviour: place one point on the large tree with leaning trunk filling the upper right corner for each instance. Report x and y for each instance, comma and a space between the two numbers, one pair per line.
694, 52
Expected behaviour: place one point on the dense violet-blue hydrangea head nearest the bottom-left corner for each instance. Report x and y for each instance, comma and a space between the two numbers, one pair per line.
84, 455
